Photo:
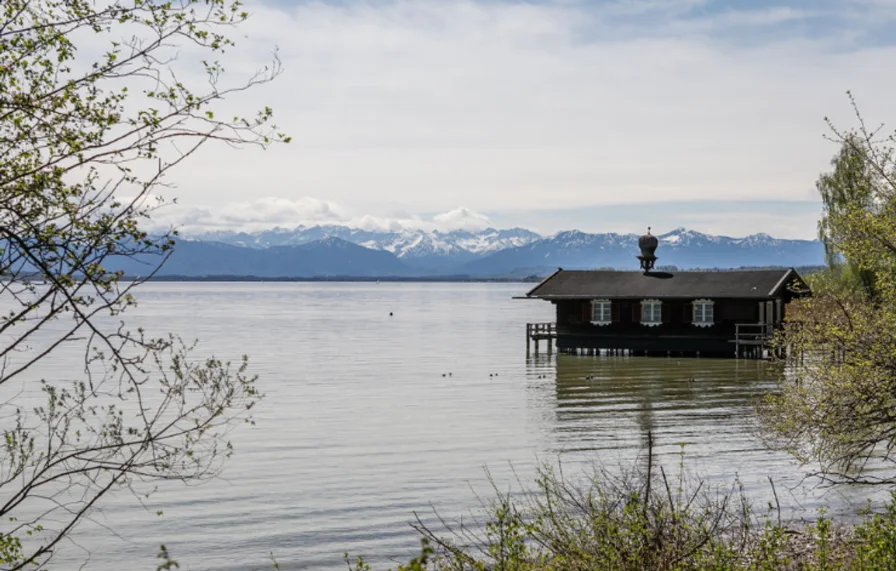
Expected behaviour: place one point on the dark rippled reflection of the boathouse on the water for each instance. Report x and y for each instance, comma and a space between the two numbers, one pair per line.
615, 401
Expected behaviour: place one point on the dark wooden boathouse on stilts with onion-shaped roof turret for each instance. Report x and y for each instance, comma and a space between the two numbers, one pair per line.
728, 313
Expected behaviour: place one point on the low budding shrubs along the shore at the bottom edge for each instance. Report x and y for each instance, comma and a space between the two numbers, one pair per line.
646, 521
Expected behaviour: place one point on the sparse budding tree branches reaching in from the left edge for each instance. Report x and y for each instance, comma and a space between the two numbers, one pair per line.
96, 109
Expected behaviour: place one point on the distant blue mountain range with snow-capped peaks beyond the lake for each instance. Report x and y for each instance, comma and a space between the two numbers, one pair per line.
340, 251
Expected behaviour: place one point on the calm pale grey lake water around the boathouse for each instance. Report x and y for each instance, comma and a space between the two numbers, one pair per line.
361, 427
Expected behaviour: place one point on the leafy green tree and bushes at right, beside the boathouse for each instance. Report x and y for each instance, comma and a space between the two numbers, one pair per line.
837, 406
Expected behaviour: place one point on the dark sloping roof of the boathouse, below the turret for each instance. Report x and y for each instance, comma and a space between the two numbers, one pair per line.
744, 284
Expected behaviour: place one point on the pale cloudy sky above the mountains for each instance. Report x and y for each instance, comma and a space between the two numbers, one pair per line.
604, 115
